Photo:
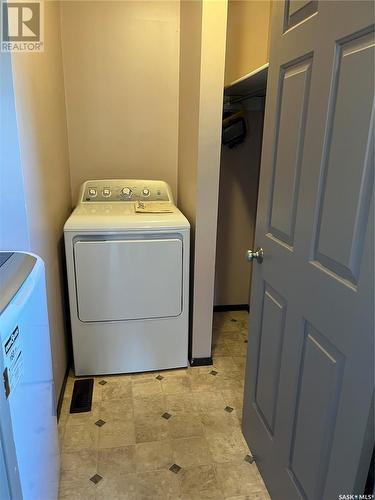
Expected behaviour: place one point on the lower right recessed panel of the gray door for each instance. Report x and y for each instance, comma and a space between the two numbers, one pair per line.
320, 375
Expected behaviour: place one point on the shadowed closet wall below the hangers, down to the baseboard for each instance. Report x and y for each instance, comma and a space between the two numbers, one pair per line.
239, 178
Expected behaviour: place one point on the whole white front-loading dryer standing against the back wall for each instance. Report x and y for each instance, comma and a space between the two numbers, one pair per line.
127, 258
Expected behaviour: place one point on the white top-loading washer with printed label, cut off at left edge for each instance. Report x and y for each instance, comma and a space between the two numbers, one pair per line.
29, 454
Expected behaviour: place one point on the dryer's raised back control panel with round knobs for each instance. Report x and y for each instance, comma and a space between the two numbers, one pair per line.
124, 190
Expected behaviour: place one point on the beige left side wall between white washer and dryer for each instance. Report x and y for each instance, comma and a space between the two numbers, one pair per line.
40, 107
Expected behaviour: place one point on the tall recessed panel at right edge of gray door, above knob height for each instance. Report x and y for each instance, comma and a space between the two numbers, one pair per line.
345, 192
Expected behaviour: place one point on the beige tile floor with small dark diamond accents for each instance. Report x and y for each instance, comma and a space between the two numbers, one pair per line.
167, 435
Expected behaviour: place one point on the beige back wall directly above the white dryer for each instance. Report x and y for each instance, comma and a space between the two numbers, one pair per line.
121, 80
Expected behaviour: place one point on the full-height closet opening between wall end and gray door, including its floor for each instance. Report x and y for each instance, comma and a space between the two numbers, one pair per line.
244, 97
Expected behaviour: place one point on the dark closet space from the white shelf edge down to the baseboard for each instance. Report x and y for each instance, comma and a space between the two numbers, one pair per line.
242, 132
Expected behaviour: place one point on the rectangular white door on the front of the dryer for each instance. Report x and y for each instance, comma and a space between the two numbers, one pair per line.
128, 279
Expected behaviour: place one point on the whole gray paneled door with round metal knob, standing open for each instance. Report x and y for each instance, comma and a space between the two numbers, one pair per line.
308, 389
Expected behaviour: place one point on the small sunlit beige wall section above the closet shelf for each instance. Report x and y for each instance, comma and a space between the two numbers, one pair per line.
247, 37
